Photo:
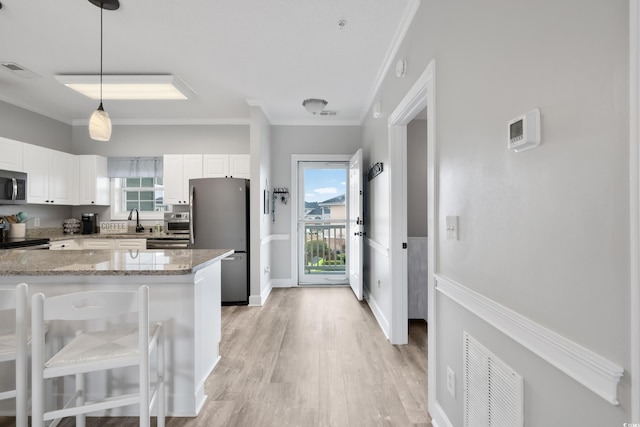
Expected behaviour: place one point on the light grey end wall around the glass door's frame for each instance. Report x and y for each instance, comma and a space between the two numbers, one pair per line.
286, 141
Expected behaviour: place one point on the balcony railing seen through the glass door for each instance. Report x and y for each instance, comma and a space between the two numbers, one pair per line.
325, 248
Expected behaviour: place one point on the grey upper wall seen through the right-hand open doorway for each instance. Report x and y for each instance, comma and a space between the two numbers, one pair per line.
417, 178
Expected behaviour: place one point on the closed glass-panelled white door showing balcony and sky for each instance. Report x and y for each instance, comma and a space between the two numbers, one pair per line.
322, 222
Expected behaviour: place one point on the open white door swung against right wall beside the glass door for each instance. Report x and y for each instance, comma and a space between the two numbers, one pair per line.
356, 223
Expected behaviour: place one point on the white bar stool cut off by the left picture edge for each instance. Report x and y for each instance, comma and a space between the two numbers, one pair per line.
14, 345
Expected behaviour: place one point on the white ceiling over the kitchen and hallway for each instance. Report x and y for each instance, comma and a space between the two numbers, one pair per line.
231, 53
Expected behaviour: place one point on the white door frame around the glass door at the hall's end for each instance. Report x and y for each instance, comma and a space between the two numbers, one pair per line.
293, 194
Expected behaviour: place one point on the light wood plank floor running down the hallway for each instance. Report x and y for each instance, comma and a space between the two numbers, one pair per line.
309, 357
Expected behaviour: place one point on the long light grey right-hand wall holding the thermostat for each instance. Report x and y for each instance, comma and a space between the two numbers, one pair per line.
545, 232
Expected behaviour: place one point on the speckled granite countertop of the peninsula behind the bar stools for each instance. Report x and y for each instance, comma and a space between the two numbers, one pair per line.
107, 262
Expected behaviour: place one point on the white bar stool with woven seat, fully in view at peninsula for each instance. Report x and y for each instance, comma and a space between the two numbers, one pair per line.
97, 350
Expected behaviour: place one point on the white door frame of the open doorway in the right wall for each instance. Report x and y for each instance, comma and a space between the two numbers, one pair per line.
421, 95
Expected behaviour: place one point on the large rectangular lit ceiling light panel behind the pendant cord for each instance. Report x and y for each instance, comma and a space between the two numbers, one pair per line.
128, 87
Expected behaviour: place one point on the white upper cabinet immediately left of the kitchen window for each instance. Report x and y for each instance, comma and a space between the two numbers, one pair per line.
94, 182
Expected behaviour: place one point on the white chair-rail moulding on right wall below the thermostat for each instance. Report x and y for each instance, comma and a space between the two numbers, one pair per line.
598, 374
